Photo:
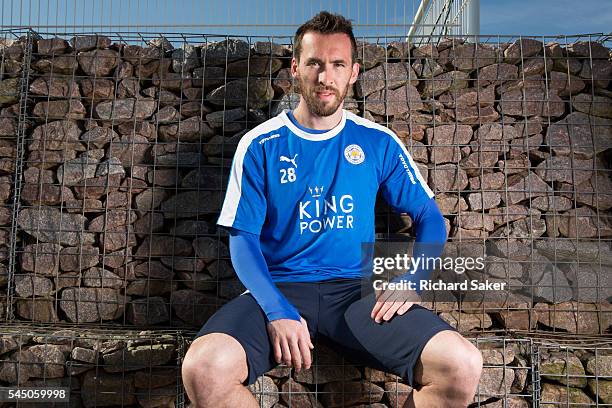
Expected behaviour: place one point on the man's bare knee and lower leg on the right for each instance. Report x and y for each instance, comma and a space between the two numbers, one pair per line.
449, 370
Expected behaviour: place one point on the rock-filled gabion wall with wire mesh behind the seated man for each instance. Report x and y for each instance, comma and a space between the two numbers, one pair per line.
115, 152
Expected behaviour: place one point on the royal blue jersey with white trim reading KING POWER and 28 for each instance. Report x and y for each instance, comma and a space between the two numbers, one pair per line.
310, 196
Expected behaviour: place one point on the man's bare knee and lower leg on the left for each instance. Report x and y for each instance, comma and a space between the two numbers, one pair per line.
213, 371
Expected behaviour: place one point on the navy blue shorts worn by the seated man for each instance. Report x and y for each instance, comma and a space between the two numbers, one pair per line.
339, 312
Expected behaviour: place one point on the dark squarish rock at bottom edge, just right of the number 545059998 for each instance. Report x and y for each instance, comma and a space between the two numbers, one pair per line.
101, 389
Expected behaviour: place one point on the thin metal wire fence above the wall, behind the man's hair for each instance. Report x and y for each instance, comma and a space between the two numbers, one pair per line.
390, 17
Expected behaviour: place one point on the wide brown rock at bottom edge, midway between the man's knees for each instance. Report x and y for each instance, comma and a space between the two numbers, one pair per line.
339, 394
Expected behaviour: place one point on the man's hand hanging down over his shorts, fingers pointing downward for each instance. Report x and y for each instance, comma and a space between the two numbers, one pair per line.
291, 342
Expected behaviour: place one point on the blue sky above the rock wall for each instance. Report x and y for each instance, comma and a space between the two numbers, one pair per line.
281, 17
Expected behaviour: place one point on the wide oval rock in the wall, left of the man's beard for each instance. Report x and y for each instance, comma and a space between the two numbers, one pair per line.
254, 93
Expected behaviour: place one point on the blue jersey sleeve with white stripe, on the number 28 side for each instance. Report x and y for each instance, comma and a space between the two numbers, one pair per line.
244, 207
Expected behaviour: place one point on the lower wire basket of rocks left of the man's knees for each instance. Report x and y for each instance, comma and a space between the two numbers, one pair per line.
99, 367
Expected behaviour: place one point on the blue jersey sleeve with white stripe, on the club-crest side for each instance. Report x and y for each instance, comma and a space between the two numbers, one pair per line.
402, 184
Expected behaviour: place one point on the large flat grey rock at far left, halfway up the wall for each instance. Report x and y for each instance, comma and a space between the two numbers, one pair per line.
49, 224
